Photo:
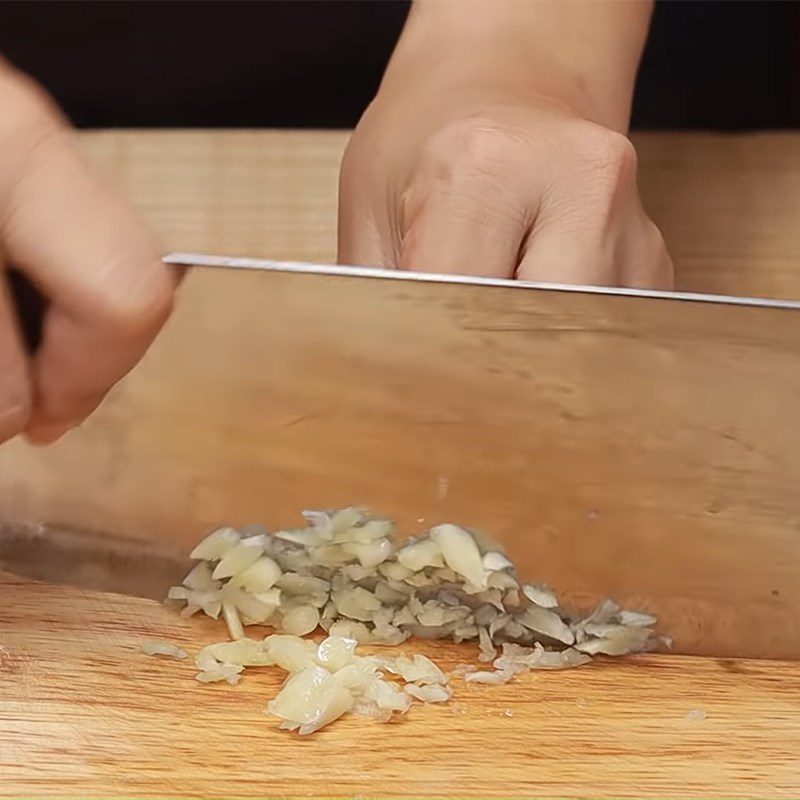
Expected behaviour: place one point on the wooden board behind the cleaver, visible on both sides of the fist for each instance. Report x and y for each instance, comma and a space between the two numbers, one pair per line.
727, 204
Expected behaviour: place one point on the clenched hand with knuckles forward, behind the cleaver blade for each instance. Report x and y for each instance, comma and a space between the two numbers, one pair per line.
481, 173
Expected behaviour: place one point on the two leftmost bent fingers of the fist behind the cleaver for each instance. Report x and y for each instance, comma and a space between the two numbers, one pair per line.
464, 208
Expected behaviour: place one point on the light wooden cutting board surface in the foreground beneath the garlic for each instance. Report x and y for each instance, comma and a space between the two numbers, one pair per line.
84, 714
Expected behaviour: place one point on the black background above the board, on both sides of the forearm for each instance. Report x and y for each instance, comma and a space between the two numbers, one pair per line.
317, 63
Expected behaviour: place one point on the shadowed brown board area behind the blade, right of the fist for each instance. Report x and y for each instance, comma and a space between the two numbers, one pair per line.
728, 207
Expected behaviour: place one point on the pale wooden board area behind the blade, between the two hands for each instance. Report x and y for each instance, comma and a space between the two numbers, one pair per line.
270, 193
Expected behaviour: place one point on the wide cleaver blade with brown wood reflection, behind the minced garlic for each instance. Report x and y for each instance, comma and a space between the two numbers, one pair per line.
641, 445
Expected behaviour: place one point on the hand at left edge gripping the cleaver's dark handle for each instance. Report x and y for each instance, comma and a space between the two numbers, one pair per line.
86, 251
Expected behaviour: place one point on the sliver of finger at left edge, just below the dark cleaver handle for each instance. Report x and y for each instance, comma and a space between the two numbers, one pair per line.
15, 387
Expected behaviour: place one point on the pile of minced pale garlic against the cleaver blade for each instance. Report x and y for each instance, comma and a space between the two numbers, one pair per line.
344, 572
